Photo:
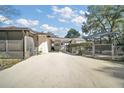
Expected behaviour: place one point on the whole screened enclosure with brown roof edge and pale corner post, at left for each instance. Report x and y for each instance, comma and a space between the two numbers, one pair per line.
17, 43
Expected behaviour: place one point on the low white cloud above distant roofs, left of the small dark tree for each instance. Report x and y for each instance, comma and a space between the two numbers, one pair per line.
60, 31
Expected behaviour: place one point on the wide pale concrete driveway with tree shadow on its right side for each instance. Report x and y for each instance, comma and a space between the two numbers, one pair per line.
63, 70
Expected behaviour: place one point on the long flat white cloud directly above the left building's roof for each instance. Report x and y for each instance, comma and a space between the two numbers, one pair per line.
27, 22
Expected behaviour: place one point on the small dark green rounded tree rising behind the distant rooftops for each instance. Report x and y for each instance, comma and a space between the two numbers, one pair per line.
72, 33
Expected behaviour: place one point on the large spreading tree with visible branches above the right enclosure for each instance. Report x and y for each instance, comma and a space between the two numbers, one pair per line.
104, 19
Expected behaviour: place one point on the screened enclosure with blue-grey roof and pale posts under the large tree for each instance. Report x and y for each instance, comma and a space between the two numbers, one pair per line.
107, 45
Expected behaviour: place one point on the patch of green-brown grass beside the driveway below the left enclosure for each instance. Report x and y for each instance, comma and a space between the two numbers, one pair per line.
7, 63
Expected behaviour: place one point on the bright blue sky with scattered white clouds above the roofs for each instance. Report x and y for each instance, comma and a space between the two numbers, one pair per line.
57, 19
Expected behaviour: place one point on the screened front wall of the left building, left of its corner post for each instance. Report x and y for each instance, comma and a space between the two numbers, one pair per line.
11, 44
